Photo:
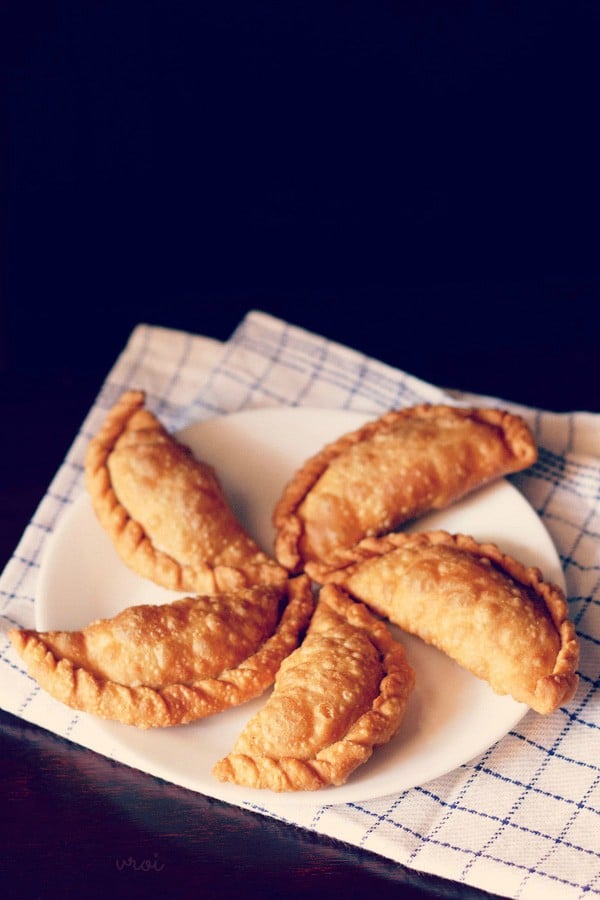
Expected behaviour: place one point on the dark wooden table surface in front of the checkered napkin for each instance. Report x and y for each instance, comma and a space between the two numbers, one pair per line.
75, 823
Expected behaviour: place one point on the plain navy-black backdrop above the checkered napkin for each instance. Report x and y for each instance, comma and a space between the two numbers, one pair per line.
419, 180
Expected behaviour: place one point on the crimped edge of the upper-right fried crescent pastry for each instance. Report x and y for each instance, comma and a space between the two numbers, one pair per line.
288, 524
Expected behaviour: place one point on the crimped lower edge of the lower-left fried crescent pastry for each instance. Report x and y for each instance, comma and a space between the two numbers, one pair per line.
175, 704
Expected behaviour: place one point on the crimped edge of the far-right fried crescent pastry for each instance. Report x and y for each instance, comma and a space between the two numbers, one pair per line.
552, 690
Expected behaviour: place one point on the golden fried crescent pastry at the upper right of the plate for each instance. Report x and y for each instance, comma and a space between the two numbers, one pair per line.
404, 464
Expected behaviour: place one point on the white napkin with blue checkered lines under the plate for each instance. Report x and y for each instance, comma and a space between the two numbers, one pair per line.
523, 819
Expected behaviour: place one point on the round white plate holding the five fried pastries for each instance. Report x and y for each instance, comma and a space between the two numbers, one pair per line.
452, 717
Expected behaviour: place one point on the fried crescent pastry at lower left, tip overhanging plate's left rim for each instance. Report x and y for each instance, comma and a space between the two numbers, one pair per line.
155, 666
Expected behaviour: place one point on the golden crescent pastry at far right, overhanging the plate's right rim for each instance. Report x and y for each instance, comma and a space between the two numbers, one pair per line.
491, 614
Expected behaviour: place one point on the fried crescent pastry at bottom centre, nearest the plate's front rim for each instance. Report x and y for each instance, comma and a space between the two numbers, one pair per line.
343, 692
